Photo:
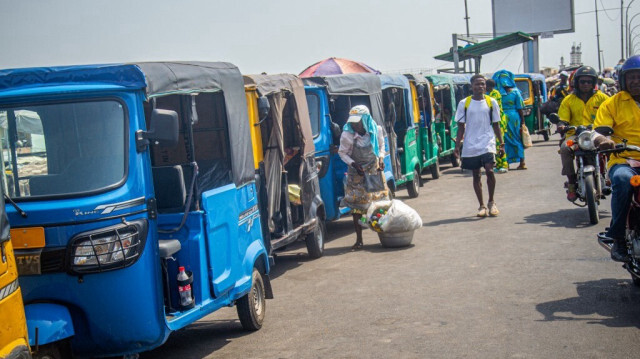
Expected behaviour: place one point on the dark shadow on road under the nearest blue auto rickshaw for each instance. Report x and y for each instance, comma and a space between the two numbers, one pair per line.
190, 343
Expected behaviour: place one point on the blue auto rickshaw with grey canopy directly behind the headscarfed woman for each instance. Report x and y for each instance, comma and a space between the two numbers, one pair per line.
329, 99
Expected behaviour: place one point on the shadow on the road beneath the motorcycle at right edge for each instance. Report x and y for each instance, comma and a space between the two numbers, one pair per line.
615, 299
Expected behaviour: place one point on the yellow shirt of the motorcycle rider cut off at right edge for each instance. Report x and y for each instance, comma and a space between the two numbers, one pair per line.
621, 113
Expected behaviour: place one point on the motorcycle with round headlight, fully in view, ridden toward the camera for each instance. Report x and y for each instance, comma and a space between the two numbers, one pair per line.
591, 169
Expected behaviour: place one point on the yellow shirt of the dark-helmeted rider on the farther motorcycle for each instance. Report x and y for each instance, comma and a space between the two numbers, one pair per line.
578, 113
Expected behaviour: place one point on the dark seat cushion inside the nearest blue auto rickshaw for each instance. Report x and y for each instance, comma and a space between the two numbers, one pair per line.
170, 189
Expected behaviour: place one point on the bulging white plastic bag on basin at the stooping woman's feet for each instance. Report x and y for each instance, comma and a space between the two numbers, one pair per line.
399, 217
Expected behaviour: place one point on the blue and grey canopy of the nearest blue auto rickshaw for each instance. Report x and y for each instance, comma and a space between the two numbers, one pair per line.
156, 79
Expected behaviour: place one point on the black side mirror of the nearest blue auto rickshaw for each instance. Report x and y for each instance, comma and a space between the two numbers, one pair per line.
163, 129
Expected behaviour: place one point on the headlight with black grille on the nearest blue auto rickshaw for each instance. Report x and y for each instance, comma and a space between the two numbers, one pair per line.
107, 248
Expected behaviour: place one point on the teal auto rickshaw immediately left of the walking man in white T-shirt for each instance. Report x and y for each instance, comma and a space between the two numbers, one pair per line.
444, 91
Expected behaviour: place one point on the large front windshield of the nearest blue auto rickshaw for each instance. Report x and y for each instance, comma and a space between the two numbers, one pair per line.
62, 148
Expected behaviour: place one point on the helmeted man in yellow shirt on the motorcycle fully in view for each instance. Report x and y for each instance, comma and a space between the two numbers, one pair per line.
578, 109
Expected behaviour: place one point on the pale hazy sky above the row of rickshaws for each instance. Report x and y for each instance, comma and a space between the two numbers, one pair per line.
277, 36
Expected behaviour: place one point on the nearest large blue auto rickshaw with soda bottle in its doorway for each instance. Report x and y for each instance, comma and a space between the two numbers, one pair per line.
123, 175
